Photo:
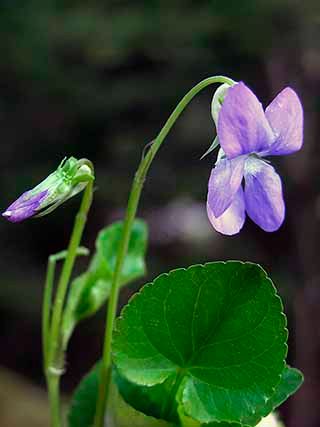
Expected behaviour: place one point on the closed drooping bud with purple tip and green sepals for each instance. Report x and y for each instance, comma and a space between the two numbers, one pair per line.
67, 180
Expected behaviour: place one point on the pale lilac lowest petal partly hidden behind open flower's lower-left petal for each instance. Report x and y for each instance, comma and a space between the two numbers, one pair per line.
232, 220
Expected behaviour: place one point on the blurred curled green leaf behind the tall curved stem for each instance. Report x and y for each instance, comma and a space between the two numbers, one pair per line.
89, 291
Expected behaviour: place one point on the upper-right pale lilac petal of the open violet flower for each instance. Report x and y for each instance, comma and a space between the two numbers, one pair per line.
285, 115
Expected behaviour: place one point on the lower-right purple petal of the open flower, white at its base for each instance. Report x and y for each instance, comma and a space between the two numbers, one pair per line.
263, 195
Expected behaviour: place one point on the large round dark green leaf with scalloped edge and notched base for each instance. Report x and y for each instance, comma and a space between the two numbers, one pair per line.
219, 328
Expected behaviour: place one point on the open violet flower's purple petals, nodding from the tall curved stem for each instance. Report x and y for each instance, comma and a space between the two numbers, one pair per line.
247, 134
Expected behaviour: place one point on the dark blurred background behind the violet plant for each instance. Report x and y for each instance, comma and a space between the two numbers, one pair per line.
98, 79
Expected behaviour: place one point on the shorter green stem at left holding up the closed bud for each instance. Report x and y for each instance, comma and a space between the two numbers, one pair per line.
54, 354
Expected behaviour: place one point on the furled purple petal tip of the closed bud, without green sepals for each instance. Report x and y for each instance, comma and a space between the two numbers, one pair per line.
24, 207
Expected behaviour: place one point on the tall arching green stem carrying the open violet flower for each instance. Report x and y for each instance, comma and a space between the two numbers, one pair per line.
132, 206
